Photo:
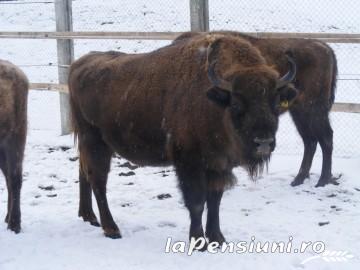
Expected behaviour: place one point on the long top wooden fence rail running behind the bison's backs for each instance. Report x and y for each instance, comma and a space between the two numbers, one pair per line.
326, 37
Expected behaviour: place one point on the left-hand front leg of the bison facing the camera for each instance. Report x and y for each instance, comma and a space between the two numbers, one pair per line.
194, 188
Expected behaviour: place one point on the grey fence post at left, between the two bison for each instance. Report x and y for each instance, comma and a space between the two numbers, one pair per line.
65, 55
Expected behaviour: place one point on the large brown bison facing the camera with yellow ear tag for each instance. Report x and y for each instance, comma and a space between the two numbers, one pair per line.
204, 106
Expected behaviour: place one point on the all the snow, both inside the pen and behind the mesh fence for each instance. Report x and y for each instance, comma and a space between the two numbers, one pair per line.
54, 237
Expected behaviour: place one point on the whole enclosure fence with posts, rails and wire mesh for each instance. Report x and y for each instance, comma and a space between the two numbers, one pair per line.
54, 33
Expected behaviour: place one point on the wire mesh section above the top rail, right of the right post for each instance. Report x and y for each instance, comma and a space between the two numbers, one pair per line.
306, 16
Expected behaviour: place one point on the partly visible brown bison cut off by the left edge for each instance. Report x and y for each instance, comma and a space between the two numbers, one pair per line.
13, 126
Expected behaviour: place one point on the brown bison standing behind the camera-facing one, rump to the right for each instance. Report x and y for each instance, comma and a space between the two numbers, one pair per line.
316, 82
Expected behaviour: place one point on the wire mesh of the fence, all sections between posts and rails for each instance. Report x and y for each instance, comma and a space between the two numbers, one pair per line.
38, 57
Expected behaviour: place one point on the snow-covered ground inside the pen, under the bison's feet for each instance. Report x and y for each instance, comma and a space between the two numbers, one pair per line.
54, 238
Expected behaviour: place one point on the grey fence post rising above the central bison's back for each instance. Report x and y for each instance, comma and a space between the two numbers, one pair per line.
199, 15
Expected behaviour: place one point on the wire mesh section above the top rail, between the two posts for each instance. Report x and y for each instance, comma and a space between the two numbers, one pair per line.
131, 15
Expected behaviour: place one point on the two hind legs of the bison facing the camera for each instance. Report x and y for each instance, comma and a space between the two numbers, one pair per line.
95, 158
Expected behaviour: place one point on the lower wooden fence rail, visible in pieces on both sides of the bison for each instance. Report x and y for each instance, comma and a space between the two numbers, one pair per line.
337, 107
